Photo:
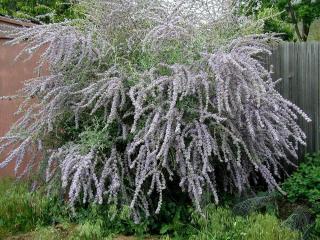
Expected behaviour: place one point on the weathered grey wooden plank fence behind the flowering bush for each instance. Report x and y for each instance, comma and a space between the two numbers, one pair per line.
298, 64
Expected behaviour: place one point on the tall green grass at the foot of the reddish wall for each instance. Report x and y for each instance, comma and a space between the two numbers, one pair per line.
23, 210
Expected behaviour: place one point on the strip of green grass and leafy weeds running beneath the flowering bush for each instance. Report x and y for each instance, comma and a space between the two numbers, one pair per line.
26, 215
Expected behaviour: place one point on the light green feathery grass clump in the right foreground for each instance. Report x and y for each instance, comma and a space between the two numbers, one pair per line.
221, 223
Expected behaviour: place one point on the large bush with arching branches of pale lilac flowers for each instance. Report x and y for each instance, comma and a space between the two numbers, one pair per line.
141, 93
